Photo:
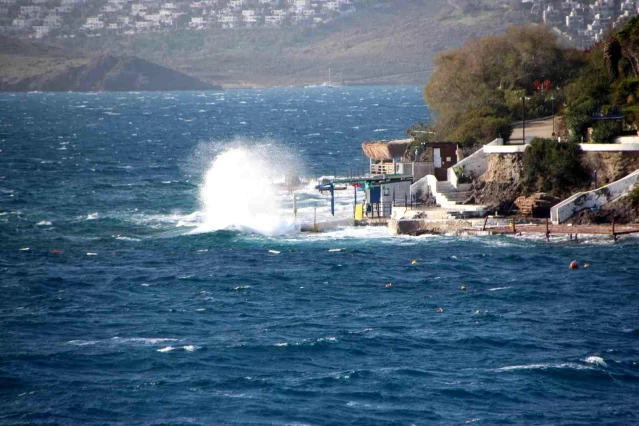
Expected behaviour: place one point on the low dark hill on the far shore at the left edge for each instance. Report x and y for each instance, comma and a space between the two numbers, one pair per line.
26, 66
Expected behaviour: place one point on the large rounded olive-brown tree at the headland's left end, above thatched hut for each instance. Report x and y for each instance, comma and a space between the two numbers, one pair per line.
477, 90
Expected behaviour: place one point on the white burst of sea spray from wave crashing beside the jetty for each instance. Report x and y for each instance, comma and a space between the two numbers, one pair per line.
239, 192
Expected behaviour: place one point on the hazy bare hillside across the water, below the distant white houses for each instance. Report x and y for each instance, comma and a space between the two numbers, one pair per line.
392, 43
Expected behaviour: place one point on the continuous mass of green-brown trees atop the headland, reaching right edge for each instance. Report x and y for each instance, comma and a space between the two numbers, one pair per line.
476, 91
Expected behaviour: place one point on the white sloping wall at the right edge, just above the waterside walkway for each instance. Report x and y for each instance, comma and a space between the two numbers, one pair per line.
591, 199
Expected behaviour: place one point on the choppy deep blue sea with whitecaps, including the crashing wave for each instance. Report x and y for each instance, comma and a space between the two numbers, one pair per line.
152, 272
